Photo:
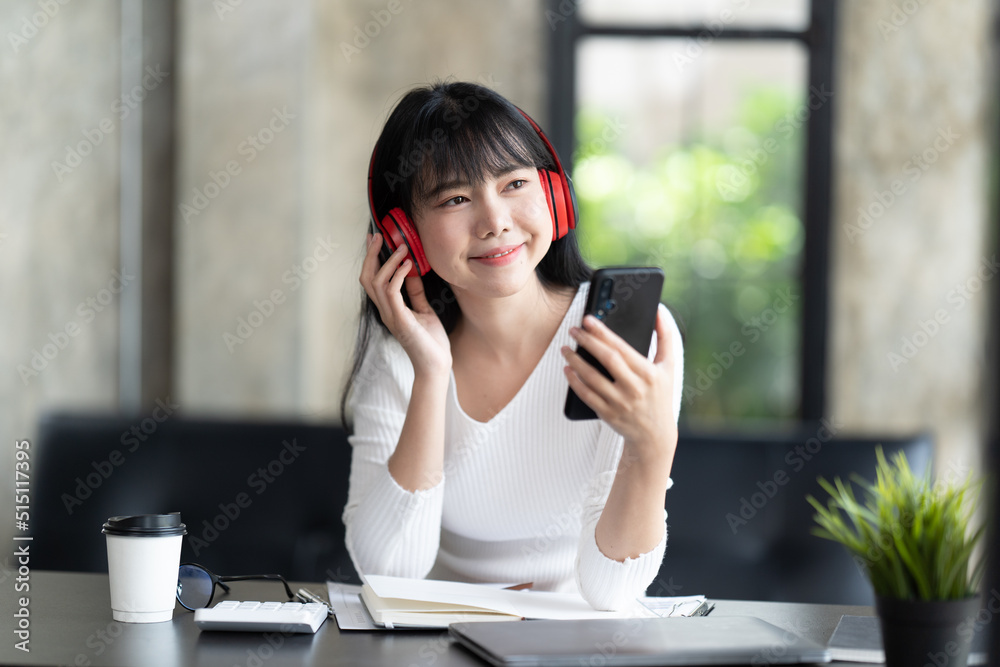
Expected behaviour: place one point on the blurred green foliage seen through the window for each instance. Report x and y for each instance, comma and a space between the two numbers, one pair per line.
720, 215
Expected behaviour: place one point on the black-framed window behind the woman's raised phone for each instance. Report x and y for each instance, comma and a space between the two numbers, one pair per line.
705, 150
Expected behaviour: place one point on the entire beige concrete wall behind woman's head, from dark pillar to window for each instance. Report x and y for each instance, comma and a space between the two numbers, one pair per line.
280, 245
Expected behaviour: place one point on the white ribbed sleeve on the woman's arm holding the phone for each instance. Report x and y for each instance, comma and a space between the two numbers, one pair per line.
603, 582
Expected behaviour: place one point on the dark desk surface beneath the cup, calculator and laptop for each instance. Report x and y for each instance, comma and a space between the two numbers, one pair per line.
71, 624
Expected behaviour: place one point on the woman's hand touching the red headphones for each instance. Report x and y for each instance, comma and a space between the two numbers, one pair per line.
418, 329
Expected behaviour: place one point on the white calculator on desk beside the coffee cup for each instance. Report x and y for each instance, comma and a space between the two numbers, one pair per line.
252, 616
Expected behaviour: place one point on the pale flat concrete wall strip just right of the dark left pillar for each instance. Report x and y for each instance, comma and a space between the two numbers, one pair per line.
239, 209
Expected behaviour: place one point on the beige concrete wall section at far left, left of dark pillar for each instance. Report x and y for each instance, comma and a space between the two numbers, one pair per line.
58, 226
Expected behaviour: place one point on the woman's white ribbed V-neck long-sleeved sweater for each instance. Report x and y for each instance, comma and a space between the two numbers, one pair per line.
521, 494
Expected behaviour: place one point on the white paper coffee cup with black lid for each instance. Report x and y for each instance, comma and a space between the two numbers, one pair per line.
144, 554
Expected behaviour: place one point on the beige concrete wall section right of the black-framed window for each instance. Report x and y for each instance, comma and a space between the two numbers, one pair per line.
912, 153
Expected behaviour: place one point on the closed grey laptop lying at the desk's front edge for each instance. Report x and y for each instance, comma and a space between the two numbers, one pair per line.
708, 640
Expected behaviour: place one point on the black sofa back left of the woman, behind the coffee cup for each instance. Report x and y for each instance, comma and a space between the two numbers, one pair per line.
257, 497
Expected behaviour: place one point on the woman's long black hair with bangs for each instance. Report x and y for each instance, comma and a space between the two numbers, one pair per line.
433, 133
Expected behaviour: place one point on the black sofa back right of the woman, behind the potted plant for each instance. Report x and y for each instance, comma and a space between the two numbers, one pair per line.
739, 526
